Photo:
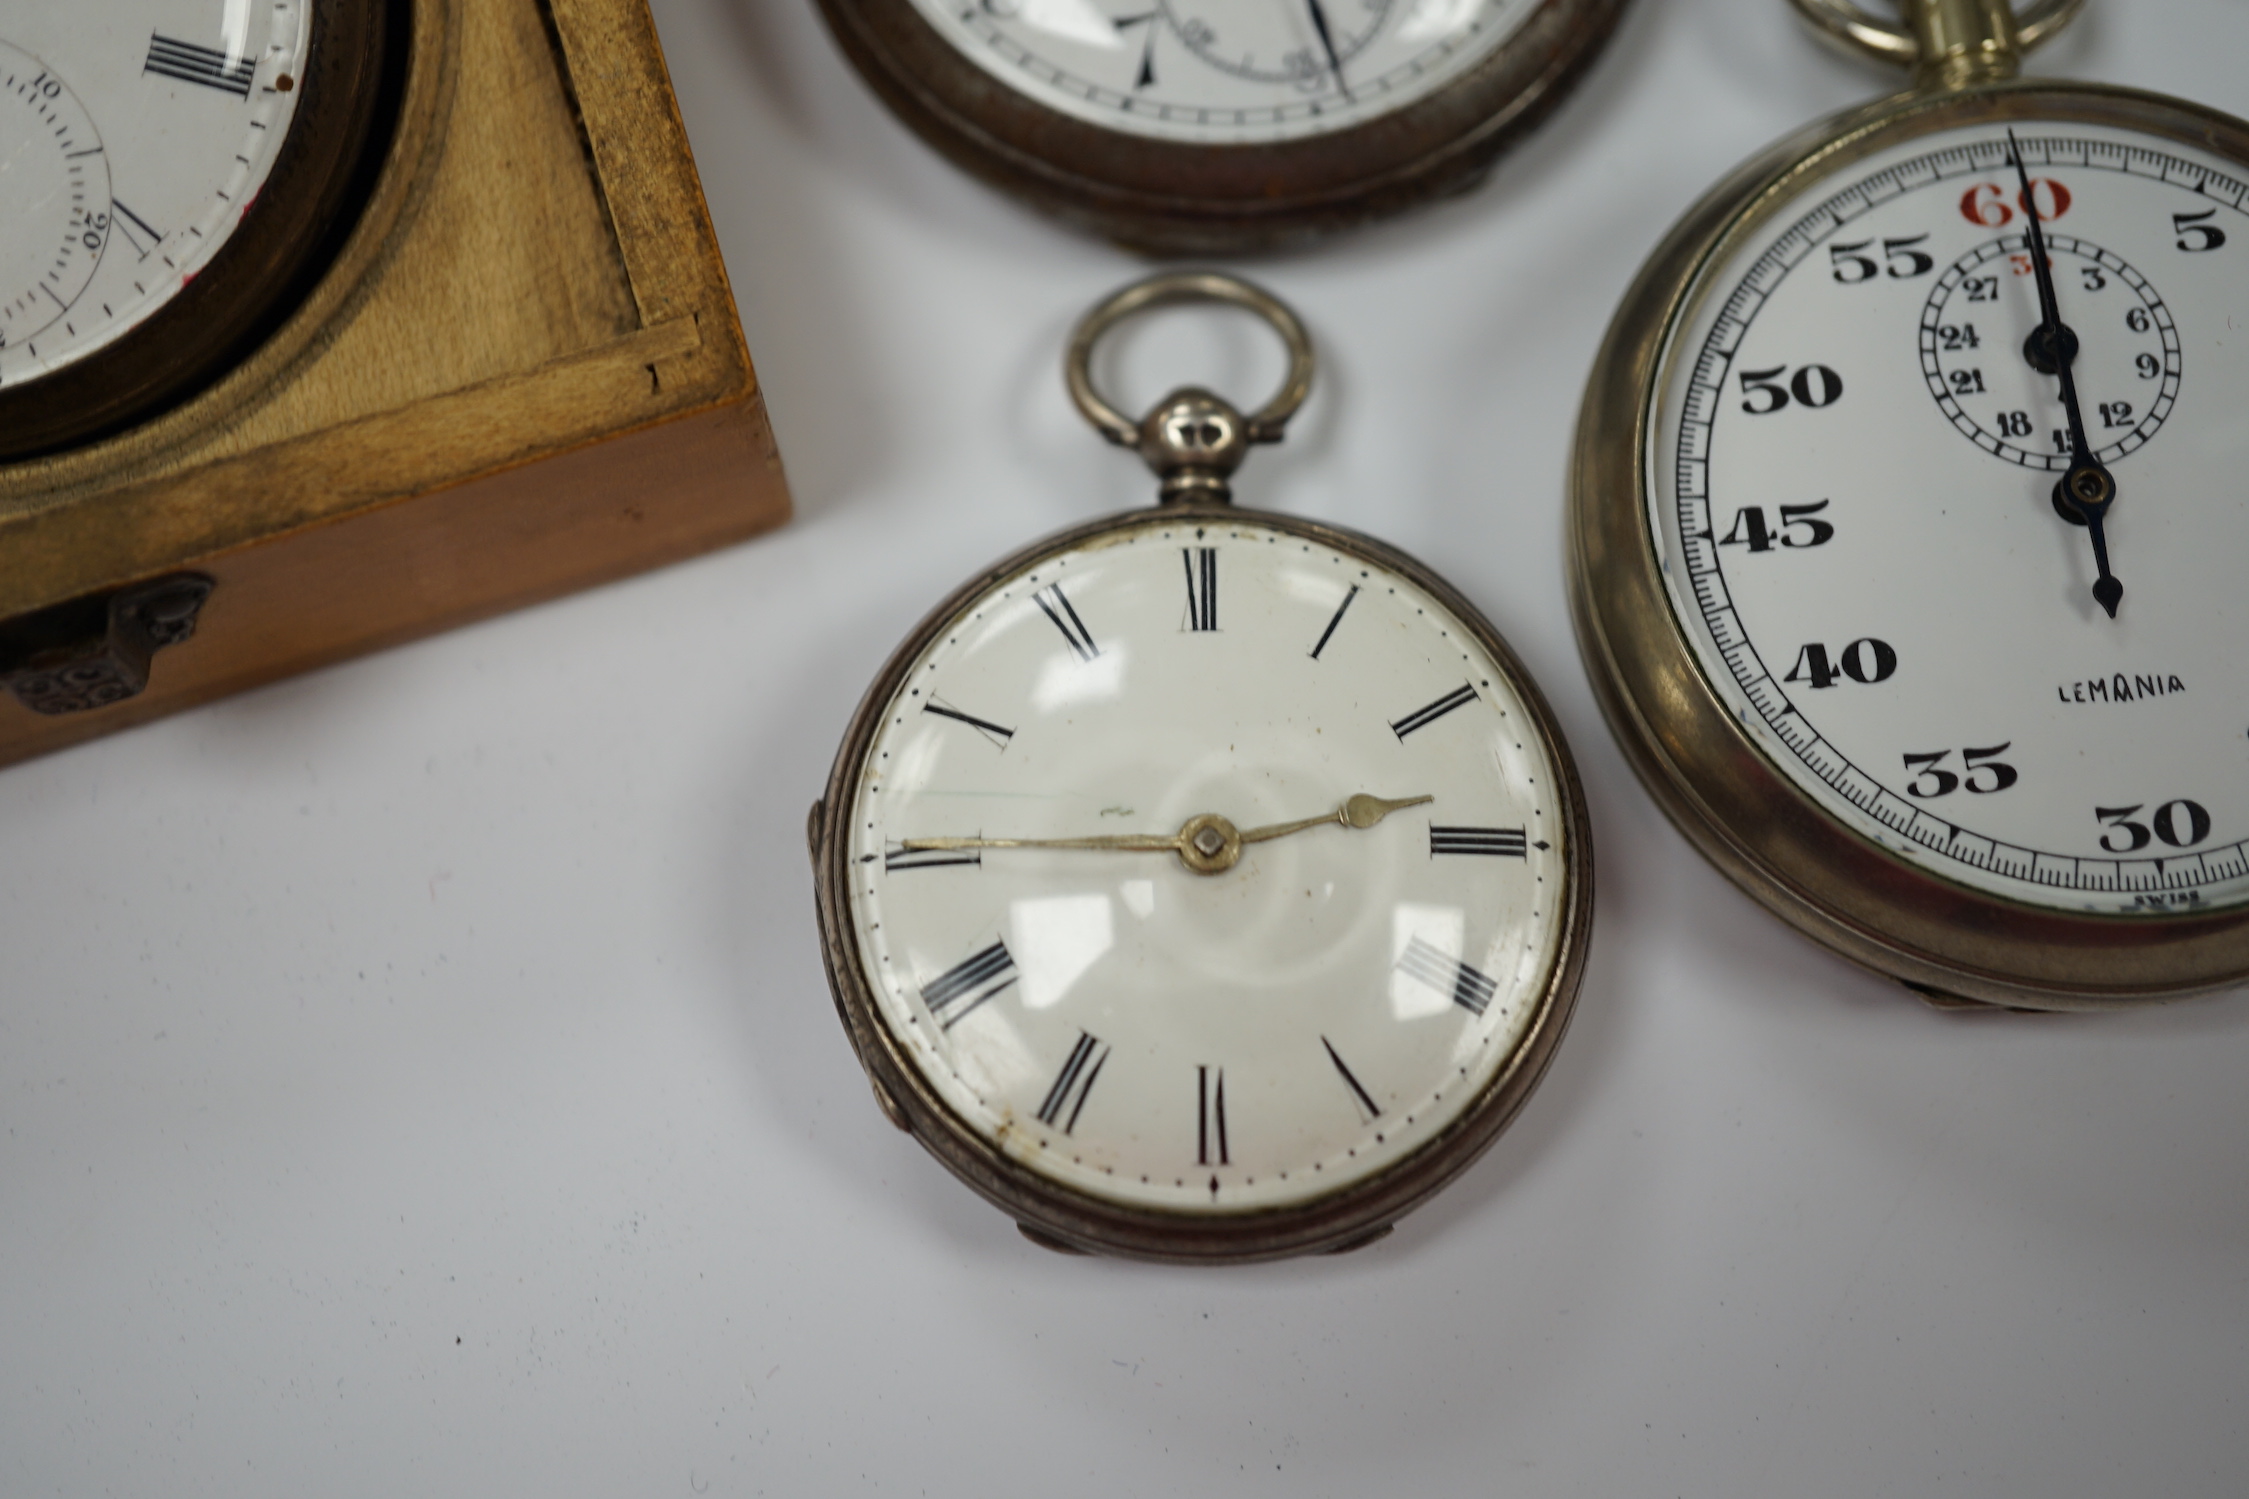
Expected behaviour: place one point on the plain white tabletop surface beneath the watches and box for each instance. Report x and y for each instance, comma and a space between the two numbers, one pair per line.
419, 1078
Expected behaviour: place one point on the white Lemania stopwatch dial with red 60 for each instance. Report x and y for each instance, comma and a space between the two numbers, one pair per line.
1852, 496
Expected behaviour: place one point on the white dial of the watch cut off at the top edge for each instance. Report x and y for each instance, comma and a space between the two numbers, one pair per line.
1227, 71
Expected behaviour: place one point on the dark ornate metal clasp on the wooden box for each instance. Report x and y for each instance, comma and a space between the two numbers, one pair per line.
93, 653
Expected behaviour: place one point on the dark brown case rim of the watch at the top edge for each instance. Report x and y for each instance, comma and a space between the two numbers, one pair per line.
1186, 199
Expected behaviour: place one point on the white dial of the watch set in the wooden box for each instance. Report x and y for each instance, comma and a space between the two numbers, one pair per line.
134, 136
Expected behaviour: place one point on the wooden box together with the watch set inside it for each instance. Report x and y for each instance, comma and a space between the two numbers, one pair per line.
332, 322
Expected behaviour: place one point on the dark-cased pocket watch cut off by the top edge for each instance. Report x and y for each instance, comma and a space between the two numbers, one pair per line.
1222, 125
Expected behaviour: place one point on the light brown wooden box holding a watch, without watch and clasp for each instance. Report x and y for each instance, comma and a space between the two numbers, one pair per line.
521, 376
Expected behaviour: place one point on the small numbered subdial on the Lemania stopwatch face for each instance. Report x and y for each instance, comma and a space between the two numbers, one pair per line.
1996, 383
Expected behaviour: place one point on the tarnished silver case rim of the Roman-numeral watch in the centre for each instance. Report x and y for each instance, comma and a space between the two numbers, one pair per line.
1074, 1221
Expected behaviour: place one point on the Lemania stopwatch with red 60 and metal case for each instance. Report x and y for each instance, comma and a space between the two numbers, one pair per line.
1908, 527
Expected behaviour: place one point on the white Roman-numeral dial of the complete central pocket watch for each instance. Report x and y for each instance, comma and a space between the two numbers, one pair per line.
1182, 1042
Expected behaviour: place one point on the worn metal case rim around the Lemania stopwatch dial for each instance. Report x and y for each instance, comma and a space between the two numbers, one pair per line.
1947, 941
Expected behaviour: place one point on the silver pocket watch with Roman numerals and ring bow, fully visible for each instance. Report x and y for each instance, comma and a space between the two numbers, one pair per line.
1204, 884
